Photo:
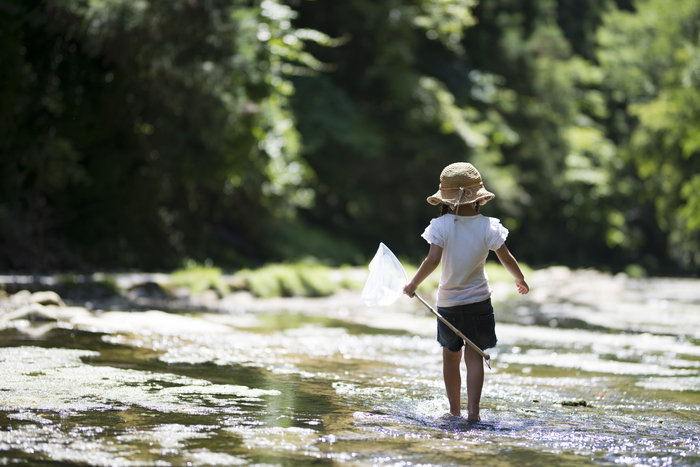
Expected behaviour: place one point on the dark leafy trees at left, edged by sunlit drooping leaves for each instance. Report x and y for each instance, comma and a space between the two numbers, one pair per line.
148, 131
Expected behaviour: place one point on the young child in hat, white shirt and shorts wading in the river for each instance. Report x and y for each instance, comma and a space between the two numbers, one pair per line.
461, 240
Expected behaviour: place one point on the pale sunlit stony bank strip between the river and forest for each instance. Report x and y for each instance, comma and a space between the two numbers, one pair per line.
559, 297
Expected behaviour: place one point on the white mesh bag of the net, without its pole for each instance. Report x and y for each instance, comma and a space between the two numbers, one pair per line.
386, 280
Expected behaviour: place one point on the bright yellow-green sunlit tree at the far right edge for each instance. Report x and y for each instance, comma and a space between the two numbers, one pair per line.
651, 61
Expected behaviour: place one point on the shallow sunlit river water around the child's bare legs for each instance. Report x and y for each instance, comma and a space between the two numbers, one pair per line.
590, 369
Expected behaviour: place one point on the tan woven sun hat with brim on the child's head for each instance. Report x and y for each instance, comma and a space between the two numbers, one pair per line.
460, 183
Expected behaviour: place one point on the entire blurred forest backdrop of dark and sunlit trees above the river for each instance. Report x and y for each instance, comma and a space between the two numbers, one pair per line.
145, 134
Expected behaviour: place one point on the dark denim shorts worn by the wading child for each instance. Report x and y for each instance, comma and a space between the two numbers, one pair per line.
475, 320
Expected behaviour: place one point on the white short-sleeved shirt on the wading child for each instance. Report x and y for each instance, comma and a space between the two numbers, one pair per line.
465, 245
